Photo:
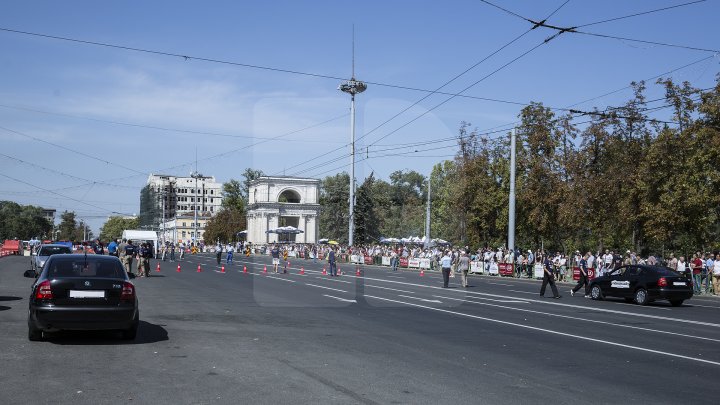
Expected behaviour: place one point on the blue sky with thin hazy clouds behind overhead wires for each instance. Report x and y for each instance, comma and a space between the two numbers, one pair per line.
65, 106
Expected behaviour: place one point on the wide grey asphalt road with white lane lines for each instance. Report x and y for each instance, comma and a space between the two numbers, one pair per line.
384, 337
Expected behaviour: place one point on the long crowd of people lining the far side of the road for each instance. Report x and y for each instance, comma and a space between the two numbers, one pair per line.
702, 268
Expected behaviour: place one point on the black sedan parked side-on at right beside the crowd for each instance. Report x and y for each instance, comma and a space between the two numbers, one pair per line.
642, 284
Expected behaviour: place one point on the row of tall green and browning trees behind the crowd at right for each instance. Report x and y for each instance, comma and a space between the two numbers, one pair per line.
621, 180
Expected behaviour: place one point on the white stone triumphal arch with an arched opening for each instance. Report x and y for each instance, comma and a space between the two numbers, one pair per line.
283, 201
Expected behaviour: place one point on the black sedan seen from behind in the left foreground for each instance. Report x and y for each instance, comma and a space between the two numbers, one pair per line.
82, 292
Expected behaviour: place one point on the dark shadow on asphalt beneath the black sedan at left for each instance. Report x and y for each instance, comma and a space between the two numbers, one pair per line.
147, 333
